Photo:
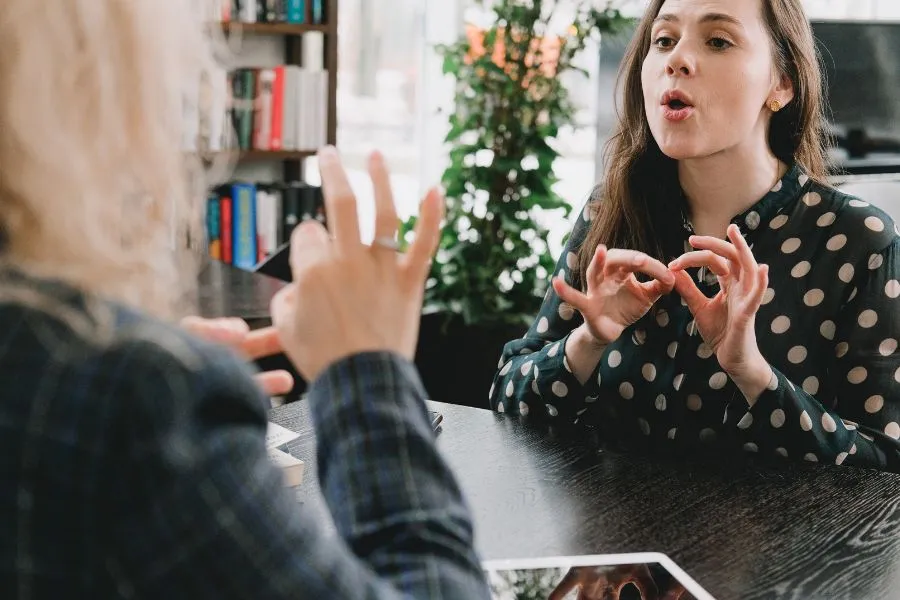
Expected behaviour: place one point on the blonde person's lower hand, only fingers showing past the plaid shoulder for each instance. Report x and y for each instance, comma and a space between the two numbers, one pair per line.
236, 334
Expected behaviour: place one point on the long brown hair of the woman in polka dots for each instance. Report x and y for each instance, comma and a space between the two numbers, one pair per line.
635, 202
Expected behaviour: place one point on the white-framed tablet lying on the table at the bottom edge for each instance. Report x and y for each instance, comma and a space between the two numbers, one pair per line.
644, 576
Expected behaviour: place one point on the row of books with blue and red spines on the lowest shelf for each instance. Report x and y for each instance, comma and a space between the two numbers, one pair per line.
247, 222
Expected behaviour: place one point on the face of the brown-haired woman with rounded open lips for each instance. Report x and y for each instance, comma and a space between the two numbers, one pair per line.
708, 77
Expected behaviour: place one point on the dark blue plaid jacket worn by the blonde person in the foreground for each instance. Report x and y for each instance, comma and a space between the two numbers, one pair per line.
135, 466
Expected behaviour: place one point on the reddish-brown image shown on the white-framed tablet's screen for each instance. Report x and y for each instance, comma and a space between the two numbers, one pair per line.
606, 583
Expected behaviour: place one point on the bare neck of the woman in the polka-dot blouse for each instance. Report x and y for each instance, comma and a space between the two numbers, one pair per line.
723, 185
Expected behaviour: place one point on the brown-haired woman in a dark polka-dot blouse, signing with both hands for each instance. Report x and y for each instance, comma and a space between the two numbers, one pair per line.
716, 294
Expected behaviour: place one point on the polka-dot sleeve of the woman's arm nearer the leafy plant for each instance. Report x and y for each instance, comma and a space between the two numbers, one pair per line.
534, 377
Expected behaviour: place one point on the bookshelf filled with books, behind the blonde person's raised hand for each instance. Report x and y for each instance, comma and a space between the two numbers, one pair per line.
268, 118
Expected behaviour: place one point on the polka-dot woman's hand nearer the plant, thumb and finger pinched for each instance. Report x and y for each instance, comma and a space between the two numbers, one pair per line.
615, 298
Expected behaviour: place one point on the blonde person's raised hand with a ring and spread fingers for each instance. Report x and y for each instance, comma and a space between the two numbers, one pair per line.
346, 297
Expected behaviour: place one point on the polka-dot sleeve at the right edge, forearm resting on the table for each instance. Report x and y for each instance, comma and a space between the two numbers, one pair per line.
858, 425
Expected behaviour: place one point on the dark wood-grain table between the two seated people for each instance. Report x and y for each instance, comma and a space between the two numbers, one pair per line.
753, 532
